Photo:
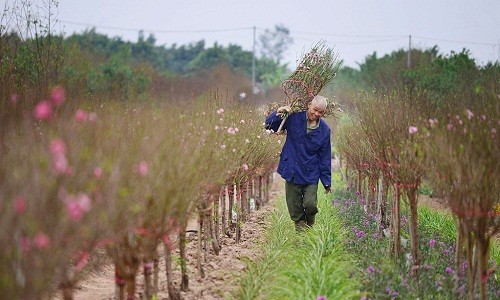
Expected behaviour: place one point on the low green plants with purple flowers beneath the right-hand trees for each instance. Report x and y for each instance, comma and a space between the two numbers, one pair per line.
384, 278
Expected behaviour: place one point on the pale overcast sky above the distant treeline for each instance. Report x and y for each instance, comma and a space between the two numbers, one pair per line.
355, 28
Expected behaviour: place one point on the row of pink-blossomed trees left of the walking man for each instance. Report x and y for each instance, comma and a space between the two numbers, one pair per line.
116, 181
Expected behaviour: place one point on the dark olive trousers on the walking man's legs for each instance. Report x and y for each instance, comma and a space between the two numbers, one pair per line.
302, 202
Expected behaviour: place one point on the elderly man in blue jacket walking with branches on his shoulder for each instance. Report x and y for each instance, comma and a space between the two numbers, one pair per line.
305, 158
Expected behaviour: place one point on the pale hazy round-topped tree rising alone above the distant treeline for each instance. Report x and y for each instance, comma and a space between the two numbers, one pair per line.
274, 43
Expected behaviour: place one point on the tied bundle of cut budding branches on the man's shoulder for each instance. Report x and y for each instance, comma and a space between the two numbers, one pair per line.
317, 68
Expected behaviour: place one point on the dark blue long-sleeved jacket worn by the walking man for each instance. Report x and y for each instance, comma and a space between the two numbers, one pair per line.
306, 157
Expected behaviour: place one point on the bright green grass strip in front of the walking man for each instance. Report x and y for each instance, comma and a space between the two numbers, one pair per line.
302, 265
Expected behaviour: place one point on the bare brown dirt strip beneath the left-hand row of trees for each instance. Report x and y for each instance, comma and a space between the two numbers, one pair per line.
221, 272
